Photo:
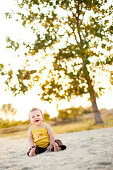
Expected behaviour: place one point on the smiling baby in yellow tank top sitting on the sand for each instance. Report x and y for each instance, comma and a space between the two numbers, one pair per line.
40, 135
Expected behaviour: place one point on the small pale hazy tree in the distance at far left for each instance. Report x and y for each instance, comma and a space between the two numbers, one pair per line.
8, 110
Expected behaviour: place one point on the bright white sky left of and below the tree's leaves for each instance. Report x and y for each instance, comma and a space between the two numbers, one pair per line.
23, 103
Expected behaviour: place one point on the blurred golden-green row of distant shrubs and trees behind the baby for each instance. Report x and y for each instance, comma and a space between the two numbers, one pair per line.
8, 111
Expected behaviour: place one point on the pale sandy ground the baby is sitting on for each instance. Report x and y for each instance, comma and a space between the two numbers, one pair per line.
91, 149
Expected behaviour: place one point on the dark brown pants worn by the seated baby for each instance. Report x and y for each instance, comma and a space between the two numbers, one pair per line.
39, 150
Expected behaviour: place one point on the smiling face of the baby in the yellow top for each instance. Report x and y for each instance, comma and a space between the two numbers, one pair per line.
36, 117
